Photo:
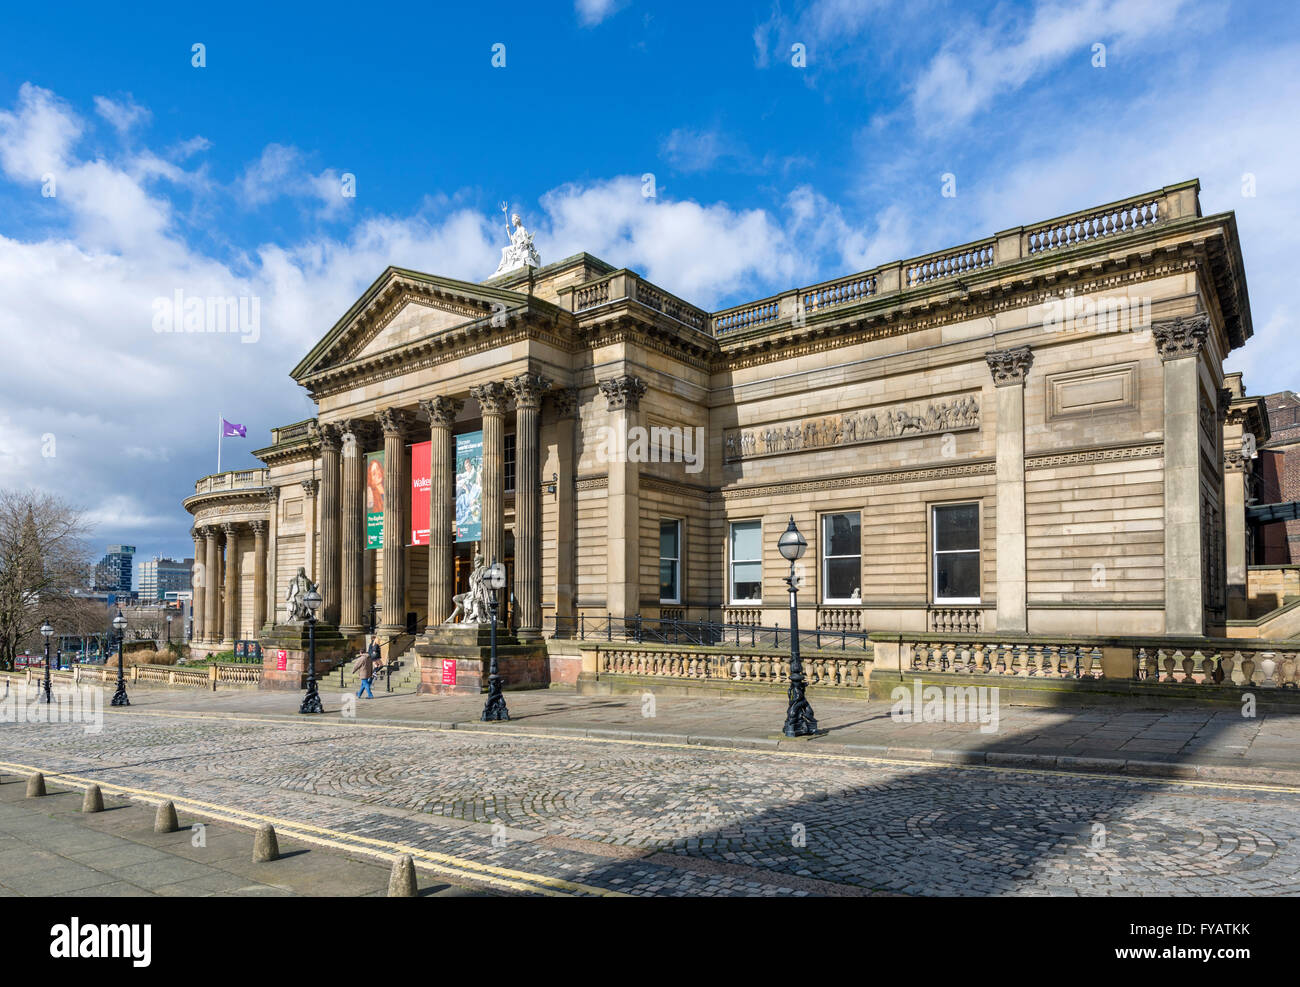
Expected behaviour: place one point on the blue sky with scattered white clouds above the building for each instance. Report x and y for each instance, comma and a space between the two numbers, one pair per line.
226, 180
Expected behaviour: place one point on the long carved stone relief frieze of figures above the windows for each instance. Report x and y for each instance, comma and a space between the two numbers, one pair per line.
855, 427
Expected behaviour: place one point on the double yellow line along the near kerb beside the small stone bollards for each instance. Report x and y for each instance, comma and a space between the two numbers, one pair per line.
441, 864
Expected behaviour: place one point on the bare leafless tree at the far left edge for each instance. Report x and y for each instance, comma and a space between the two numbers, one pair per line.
45, 556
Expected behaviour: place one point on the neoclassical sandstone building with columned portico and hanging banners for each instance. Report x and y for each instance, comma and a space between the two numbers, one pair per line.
1026, 434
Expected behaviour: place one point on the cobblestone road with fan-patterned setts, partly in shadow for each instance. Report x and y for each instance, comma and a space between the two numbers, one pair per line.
675, 820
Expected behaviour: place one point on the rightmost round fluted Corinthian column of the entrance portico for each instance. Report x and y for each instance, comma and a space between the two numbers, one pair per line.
528, 391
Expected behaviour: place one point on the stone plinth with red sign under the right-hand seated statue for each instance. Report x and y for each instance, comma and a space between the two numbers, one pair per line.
522, 665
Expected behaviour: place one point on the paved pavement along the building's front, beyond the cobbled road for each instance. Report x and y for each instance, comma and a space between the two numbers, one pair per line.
1212, 744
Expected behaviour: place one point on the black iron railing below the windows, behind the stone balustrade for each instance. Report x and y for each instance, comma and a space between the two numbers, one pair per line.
704, 634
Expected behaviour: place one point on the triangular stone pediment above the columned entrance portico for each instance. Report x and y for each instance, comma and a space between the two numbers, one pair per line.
404, 308
